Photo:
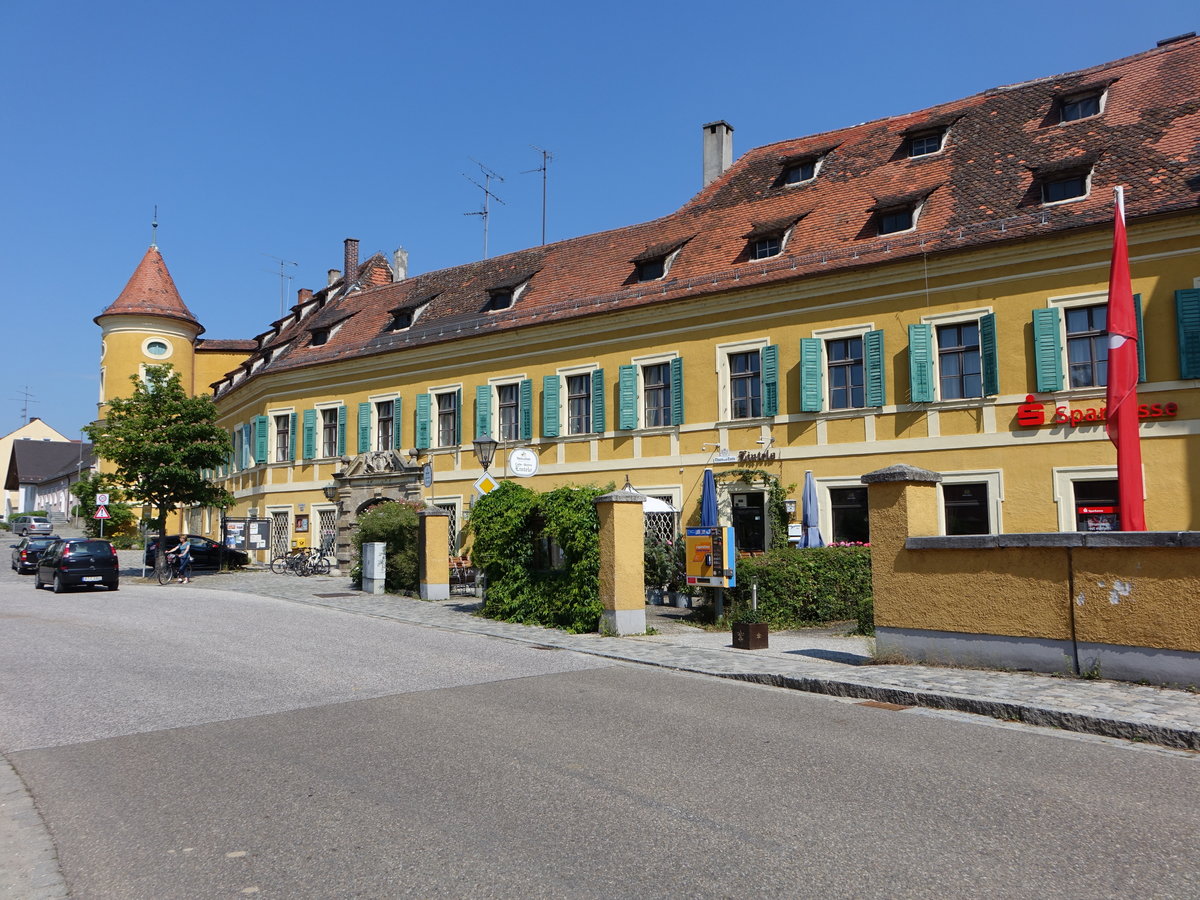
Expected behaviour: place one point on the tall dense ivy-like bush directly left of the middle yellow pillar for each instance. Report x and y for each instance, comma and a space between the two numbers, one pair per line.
542, 556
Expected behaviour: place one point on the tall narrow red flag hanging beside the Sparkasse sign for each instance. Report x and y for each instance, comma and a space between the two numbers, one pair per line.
1123, 383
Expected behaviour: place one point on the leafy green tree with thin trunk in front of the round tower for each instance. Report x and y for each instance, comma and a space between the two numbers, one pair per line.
160, 440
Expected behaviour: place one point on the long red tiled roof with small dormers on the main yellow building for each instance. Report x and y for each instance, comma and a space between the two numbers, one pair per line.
980, 189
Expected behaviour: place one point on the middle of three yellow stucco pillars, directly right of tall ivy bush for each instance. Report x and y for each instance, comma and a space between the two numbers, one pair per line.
622, 562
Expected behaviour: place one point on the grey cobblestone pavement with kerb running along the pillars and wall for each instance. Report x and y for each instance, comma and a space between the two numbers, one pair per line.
819, 661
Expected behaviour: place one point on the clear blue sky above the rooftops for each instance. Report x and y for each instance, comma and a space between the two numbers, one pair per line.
280, 129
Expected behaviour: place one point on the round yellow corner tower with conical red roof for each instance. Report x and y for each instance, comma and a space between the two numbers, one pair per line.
147, 326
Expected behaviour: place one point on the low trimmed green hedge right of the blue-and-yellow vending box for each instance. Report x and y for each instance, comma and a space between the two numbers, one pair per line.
806, 587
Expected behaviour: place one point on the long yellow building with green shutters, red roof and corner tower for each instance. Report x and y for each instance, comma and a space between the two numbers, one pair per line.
915, 289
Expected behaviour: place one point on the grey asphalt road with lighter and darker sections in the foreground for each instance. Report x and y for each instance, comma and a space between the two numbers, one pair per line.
183, 742
